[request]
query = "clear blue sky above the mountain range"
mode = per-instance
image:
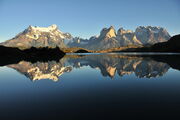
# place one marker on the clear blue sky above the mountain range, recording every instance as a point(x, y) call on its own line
point(86, 18)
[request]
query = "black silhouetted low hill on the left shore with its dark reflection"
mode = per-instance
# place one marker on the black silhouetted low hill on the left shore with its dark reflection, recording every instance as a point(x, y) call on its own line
point(14, 55)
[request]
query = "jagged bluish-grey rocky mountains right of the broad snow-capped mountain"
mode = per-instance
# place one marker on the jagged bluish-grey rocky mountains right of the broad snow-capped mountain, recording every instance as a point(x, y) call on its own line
point(109, 38)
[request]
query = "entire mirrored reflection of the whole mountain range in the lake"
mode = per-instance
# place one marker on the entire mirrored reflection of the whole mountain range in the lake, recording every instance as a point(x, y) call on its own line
point(108, 65)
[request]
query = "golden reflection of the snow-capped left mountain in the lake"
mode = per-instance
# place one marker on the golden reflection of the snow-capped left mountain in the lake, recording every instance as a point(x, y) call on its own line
point(41, 70)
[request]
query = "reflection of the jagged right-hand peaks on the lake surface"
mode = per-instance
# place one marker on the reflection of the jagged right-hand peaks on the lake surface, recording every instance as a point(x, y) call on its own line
point(109, 65)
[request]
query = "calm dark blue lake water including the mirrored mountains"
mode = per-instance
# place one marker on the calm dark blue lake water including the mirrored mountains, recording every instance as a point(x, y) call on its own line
point(90, 87)
